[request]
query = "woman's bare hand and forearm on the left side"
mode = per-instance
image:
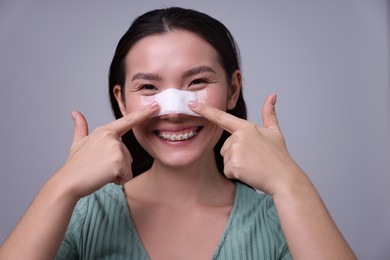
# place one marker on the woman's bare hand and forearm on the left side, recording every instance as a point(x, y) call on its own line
point(39, 233)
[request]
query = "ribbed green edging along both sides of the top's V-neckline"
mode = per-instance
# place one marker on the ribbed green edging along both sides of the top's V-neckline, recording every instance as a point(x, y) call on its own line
point(221, 240)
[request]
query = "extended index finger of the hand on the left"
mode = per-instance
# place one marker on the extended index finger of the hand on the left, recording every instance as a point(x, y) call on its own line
point(127, 122)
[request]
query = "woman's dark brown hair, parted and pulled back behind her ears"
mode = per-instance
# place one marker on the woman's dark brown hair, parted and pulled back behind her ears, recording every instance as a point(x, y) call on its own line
point(161, 21)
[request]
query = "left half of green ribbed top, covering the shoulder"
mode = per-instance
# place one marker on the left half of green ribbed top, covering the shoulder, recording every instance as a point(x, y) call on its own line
point(101, 225)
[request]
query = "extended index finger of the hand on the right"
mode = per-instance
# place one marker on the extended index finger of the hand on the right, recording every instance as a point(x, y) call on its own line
point(225, 120)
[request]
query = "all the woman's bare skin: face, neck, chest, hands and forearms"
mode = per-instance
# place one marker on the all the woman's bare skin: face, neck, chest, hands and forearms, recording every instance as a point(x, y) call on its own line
point(183, 192)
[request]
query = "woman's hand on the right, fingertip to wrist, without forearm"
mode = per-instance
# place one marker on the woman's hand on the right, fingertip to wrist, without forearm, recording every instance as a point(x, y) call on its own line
point(252, 154)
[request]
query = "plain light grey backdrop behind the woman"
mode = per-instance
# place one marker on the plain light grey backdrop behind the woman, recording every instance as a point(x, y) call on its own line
point(328, 61)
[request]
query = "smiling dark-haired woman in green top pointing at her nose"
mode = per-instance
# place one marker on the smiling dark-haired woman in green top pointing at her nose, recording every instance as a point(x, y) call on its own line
point(187, 198)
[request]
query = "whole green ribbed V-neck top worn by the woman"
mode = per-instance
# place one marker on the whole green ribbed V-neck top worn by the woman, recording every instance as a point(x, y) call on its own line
point(101, 228)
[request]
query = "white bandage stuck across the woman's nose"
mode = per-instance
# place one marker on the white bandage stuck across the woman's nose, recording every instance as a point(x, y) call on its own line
point(174, 101)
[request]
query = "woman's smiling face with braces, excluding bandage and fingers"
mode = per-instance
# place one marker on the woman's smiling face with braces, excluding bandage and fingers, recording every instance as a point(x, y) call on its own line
point(182, 60)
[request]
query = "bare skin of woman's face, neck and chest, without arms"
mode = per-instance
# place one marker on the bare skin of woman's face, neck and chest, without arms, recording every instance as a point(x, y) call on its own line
point(183, 192)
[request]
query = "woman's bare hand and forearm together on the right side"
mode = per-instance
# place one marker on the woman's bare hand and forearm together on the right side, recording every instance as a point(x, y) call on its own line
point(258, 156)
